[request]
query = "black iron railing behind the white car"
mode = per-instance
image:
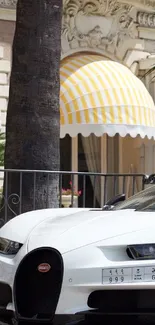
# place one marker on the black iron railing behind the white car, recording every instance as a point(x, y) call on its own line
point(96, 189)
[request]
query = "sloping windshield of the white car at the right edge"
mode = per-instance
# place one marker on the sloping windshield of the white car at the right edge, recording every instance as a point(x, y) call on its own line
point(142, 201)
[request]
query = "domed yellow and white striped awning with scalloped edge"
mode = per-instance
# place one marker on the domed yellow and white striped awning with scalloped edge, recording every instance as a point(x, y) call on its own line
point(99, 96)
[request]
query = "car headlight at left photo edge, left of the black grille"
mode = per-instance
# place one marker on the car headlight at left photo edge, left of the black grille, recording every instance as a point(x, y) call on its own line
point(9, 247)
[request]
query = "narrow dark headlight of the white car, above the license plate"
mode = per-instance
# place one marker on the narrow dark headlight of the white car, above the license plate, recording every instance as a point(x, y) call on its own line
point(141, 252)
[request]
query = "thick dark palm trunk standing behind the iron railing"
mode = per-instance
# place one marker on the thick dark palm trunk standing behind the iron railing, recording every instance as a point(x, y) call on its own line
point(33, 121)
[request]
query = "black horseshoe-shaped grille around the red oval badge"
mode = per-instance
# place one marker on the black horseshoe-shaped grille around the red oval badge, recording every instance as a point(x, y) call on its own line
point(36, 293)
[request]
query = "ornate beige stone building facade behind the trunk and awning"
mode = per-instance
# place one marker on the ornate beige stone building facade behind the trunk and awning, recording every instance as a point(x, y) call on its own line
point(122, 31)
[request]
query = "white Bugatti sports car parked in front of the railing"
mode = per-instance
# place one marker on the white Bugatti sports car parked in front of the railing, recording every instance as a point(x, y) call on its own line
point(80, 261)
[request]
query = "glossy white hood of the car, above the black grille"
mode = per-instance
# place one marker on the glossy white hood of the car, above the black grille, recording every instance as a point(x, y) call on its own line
point(79, 229)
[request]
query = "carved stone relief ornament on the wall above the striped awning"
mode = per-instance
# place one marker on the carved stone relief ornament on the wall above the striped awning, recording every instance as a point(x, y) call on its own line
point(96, 23)
